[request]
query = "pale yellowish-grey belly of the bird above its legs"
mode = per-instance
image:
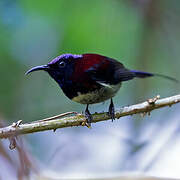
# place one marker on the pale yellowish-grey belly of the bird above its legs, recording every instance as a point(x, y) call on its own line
point(103, 94)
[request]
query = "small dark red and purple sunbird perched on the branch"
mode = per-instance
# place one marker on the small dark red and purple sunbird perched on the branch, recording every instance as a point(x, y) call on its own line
point(90, 78)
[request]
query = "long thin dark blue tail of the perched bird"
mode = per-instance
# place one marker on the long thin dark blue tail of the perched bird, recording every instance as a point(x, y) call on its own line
point(141, 74)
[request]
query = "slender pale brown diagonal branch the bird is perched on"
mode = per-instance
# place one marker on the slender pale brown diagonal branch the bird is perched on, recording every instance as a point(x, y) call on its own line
point(77, 120)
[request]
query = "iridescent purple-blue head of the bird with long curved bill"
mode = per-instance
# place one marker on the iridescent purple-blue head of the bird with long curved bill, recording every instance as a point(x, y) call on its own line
point(59, 68)
